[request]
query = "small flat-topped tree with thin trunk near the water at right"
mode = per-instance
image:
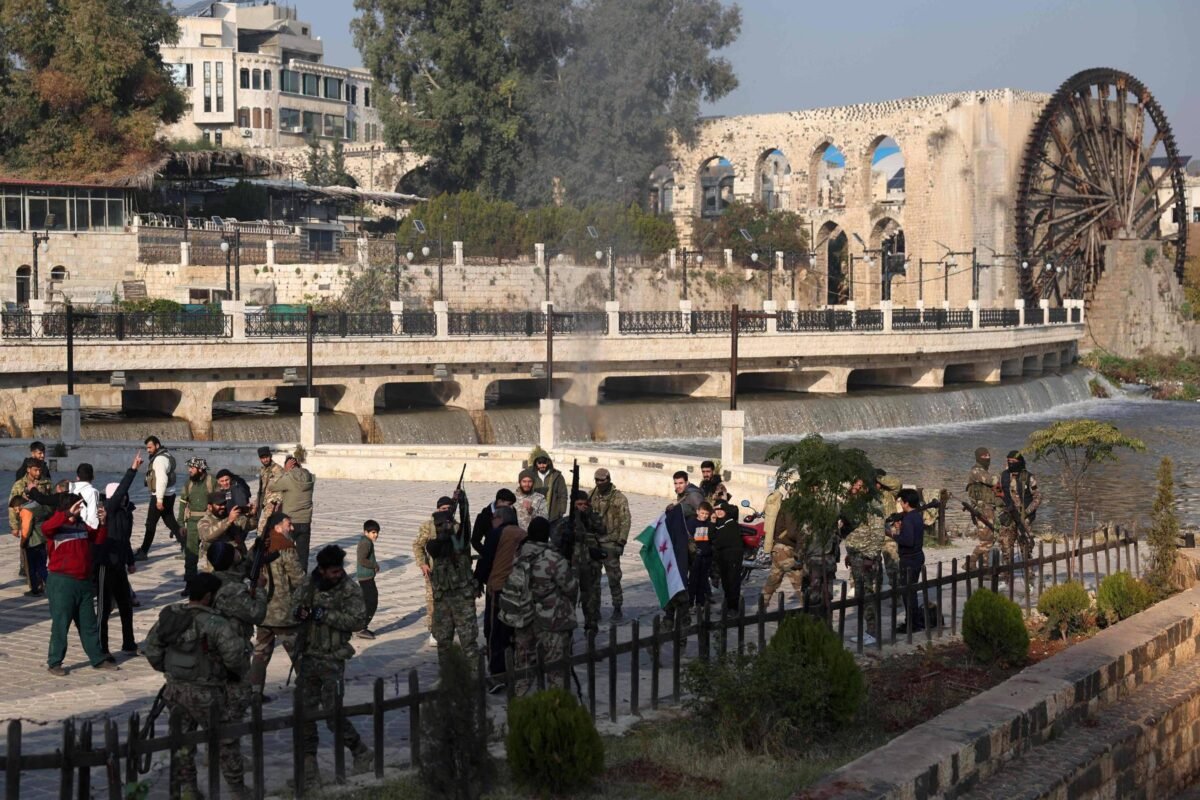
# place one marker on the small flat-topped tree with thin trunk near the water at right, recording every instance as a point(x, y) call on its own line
point(1076, 447)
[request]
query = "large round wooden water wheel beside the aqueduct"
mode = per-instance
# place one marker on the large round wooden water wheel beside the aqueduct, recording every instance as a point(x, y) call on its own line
point(1100, 165)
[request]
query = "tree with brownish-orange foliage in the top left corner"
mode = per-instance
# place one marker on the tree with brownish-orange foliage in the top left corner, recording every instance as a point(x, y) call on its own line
point(83, 87)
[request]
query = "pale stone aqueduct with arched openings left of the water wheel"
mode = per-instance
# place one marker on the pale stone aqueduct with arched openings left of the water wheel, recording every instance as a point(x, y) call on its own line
point(962, 158)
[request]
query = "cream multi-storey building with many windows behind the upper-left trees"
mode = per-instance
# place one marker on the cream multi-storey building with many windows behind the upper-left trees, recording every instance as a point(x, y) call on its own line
point(255, 77)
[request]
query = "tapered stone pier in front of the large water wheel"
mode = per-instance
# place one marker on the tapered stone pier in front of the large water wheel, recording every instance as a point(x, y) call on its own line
point(1136, 306)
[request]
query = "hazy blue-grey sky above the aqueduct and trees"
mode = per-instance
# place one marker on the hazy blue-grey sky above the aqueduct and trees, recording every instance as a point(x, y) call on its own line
point(796, 55)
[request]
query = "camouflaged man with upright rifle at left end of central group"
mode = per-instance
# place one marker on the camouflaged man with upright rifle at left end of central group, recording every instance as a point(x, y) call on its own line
point(454, 586)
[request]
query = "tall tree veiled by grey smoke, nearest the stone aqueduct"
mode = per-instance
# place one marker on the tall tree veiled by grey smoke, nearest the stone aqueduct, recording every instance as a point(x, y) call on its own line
point(634, 80)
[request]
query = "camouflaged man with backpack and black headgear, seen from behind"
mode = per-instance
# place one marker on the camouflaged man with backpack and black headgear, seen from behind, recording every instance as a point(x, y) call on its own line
point(553, 591)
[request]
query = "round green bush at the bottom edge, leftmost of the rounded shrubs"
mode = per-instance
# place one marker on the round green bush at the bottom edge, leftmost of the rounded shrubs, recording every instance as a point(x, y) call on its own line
point(553, 747)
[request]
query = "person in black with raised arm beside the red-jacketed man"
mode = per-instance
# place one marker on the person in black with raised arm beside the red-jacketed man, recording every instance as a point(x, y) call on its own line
point(115, 561)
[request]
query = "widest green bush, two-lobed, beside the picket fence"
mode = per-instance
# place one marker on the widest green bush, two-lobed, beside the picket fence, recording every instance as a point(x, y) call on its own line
point(803, 685)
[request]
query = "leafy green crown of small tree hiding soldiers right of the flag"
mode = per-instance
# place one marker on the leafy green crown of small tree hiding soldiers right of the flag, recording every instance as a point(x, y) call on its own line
point(820, 480)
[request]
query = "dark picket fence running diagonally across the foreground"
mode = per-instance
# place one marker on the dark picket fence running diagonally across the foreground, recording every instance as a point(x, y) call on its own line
point(123, 760)
